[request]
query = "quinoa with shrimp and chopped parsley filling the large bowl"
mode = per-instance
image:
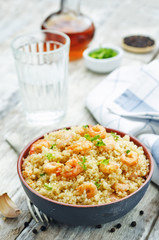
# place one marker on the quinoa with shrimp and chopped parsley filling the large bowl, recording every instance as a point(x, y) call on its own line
point(85, 165)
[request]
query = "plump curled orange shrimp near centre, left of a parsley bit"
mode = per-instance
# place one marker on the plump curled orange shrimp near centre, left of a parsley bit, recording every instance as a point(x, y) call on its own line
point(72, 168)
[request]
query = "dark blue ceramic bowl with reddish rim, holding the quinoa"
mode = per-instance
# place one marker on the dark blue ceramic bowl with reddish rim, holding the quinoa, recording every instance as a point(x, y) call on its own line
point(85, 214)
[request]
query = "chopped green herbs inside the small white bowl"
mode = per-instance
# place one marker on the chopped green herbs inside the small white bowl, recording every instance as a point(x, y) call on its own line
point(102, 53)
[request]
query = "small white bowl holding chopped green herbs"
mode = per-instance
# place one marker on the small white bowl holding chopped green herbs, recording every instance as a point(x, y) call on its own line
point(102, 65)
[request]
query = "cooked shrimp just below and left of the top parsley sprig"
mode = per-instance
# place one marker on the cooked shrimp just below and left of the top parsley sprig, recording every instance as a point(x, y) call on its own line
point(81, 147)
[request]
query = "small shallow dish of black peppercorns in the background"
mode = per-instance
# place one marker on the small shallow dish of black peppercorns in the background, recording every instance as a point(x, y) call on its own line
point(138, 44)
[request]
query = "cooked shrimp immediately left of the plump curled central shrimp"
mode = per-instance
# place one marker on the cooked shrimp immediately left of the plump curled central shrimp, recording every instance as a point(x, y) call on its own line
point(53, 167)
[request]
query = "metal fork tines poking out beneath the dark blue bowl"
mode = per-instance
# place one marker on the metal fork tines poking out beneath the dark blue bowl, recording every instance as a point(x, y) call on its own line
point(37, 215)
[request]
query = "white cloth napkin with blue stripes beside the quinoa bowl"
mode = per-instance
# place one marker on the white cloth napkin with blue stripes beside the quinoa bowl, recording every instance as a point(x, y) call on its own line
point(128, 100)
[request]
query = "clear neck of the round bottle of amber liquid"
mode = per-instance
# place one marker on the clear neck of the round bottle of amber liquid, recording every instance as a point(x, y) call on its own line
point(70, 6)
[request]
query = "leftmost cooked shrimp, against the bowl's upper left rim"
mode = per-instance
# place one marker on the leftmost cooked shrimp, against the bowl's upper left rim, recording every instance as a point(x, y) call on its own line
point(36, 147)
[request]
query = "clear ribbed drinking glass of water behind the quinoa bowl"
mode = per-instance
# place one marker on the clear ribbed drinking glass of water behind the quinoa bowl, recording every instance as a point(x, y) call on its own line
point(42, 68)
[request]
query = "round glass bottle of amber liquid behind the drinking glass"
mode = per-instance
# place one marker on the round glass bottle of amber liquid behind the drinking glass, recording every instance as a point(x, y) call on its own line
point(77, 26)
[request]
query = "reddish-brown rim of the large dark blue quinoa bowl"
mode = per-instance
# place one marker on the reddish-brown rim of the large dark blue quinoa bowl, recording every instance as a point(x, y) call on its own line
point(25, 151)
